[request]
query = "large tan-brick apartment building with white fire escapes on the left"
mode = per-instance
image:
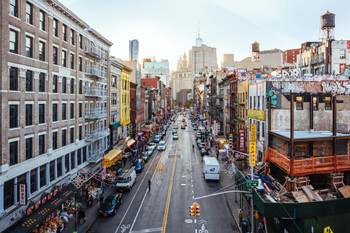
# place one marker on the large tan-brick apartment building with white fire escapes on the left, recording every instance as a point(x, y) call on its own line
point(54, 100)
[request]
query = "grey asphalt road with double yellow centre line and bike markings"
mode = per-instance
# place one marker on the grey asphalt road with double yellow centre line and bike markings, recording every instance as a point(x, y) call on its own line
point(165, 208)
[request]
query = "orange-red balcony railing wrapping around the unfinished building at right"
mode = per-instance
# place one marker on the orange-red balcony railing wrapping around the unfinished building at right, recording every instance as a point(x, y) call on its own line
point(309, 166)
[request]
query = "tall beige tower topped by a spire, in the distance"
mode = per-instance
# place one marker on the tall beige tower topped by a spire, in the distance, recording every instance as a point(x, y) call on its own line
point(202, 57)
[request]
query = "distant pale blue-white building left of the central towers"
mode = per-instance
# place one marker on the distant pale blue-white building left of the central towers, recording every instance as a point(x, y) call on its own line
point(160, 69)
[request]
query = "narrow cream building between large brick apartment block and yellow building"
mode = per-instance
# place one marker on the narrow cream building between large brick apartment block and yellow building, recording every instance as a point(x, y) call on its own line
point(115, 101)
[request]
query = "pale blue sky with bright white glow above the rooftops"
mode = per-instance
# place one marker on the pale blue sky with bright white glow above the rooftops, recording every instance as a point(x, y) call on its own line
point(167, 29)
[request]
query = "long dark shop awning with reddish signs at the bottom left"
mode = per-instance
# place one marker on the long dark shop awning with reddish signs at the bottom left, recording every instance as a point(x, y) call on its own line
point(29, 222)
